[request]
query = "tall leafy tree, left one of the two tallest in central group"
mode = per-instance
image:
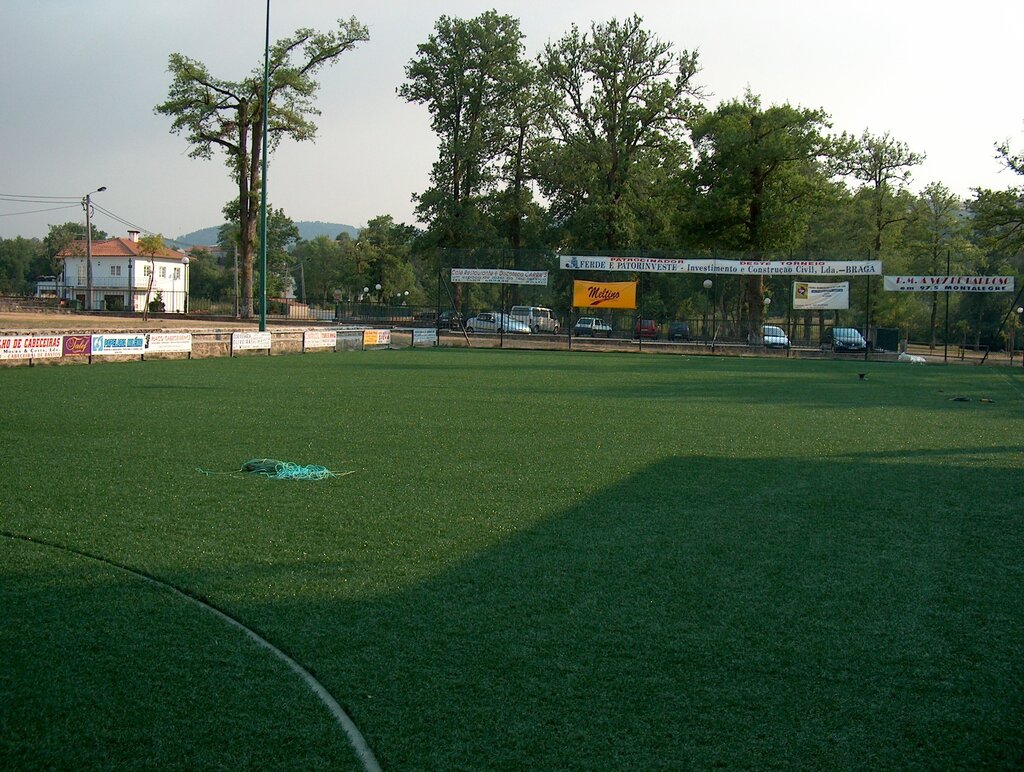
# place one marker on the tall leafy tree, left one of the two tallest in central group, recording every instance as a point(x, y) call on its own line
point(470, 74)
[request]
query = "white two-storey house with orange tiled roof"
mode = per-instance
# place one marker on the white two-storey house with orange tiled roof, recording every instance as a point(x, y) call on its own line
point(124, 279)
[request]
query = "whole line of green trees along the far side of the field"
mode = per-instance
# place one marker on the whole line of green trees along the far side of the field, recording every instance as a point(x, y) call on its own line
point(603, 143)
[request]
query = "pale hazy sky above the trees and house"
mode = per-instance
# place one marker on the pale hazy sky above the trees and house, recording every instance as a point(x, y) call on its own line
point(79, 80)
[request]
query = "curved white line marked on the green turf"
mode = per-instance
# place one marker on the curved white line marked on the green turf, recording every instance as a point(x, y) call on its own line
point(363, 752)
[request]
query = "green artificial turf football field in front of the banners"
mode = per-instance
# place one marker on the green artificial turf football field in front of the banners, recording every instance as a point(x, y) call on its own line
point(541, 561)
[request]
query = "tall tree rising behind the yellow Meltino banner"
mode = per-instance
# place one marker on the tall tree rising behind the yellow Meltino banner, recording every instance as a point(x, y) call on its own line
point(621, 99)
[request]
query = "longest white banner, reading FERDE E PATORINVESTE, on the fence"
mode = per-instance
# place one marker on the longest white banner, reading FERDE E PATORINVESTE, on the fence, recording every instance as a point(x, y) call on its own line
point(730, 268)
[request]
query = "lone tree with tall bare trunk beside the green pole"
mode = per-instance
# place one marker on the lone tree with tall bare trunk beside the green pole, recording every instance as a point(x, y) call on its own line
point(229, 115)
